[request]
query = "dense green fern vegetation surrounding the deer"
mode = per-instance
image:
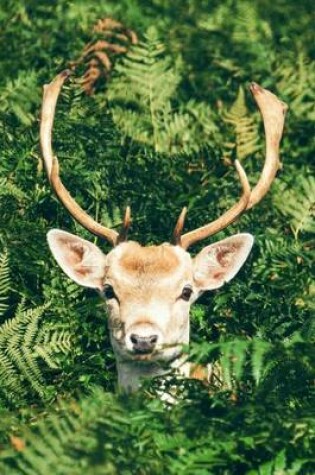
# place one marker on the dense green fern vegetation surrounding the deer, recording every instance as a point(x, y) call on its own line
point(167, 118)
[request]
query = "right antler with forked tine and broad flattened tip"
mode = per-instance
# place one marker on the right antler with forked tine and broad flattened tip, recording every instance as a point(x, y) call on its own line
point(273, 114)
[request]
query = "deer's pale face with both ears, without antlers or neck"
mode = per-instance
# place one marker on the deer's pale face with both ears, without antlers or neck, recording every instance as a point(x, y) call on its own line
point(149, 290)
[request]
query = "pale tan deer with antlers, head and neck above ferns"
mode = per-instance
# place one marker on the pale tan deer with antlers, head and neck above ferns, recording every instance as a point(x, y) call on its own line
point(149, 290)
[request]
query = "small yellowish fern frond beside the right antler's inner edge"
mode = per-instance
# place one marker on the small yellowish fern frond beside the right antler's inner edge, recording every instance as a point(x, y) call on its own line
point(244, 127)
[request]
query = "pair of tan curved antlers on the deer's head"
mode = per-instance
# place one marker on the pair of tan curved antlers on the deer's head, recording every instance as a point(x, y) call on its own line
point(273, 114)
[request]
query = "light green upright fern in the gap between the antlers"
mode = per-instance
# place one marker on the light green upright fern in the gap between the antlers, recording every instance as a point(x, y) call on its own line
point(143, 102)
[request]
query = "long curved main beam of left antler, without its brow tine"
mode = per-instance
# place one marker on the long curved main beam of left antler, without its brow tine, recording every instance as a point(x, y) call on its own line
point(50, 96)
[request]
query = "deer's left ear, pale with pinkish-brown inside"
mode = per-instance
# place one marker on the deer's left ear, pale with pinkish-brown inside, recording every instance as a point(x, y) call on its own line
point(81, 260)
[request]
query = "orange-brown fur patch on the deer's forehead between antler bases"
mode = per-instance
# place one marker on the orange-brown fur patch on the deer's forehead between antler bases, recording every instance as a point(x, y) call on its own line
point(155, 259)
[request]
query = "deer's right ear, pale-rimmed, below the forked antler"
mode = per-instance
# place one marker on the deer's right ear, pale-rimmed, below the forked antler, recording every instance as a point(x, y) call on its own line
point(220, 262)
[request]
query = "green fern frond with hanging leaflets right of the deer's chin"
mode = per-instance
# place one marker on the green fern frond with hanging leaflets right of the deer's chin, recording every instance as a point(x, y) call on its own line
point(271, 369)
